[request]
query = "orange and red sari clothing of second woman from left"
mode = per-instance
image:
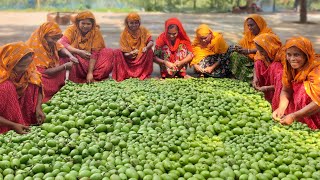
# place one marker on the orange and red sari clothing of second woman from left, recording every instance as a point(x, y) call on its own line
point(46, 57)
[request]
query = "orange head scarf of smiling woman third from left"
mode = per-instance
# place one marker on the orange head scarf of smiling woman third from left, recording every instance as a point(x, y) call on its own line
point(92, 41)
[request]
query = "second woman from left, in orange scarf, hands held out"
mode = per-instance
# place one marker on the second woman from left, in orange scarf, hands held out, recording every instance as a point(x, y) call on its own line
point(46, 57)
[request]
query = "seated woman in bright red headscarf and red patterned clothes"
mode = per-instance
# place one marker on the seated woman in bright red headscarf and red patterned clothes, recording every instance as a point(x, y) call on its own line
point(173, 51)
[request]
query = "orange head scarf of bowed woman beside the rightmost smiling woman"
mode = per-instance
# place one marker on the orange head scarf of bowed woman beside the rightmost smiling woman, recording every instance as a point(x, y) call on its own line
point(271, 44)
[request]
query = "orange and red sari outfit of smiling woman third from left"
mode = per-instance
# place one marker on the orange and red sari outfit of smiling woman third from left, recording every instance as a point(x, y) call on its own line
point(92, 42)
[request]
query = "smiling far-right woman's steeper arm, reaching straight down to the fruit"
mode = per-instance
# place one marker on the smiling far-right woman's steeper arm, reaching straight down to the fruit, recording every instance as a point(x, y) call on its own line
point(285, 96)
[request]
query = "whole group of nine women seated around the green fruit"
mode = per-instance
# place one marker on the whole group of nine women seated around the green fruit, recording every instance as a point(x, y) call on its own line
point(32, 72)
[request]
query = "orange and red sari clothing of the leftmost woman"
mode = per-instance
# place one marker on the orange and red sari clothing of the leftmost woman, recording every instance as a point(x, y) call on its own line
point(18, 96)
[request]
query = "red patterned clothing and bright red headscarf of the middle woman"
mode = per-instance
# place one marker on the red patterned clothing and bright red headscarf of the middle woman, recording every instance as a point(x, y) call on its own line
point(176, 52)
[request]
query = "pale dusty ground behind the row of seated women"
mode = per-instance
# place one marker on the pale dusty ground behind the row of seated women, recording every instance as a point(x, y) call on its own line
point(17, 26)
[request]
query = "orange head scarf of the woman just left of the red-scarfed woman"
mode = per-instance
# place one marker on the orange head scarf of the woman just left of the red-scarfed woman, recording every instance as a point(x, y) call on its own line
point(130, 40)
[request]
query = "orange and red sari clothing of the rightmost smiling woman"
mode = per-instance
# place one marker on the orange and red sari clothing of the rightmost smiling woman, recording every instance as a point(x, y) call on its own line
point(305, 82)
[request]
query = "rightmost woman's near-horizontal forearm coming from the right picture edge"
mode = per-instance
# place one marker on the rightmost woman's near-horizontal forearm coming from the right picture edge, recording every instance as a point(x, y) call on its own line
point(308, 110)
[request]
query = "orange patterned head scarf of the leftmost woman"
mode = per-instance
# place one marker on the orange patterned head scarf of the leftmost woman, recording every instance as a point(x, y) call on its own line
point(10, 55)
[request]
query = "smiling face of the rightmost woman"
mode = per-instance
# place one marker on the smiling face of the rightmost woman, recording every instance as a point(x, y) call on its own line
point(296, 58)
